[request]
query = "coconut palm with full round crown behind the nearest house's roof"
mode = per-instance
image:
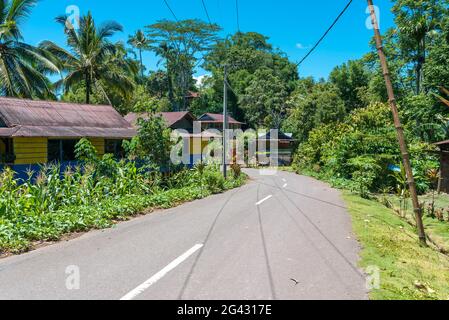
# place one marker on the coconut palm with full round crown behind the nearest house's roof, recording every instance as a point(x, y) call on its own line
point(88, 58)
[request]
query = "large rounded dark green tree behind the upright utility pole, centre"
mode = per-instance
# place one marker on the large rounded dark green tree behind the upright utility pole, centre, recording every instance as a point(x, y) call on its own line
point(261, 78)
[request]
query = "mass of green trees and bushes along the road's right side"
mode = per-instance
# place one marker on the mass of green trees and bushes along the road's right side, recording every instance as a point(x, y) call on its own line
point(343, 126)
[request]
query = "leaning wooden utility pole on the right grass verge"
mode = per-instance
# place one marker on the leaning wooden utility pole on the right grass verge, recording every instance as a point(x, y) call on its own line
point(398, 125)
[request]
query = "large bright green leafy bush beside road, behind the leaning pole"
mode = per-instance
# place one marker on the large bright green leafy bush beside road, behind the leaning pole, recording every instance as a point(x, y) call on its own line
point(361, 151)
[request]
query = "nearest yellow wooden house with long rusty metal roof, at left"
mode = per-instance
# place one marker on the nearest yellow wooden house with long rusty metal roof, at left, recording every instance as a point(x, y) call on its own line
point(37, 132)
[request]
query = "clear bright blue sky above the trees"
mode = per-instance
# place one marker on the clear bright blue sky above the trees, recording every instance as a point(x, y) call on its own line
point(292, 25)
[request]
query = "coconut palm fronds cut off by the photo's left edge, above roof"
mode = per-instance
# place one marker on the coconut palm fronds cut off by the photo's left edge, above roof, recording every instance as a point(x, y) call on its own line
point(22, 66)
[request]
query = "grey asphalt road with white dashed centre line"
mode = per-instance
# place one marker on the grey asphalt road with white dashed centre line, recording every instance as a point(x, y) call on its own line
point(278, 237)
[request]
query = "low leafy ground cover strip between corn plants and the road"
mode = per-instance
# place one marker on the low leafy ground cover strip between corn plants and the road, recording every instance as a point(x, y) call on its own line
point(27, 231)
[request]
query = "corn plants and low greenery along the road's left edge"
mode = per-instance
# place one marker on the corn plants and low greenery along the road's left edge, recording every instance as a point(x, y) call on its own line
point(103, 192)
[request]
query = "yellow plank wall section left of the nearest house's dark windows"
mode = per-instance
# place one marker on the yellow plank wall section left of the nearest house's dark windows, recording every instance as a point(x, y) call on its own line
point(30, 150)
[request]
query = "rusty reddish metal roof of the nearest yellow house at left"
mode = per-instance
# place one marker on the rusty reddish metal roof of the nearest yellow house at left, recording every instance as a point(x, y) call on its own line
point(35, 118)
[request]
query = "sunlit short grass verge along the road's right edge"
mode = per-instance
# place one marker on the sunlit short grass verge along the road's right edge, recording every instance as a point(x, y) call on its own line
point(408, 271)
